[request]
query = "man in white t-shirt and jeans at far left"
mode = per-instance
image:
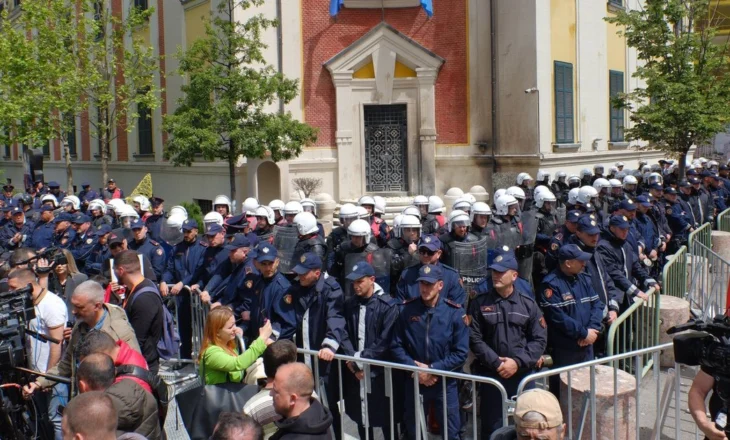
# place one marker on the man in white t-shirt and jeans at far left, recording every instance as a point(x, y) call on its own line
point(50, 320)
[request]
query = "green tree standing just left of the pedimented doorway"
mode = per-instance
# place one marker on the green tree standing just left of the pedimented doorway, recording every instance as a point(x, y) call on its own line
point(223, 112)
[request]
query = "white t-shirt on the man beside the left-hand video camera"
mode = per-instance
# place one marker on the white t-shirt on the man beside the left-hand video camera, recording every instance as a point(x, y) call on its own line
point(49, 313)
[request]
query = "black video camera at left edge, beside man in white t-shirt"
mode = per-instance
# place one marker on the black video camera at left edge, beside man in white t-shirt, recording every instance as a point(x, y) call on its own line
point(16, 311)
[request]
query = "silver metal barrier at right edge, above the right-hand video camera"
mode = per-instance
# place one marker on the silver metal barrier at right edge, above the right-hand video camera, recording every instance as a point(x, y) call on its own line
point(709, 278)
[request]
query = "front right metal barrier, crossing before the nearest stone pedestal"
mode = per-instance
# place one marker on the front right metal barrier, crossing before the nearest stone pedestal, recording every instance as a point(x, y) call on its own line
point(606, 371)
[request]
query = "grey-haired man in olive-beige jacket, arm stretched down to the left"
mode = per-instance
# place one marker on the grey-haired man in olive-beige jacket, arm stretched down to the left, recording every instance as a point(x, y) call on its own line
point(91, 313)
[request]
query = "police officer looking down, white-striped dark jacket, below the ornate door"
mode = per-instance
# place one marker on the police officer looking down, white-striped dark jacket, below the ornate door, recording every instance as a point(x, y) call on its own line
point(370, 315)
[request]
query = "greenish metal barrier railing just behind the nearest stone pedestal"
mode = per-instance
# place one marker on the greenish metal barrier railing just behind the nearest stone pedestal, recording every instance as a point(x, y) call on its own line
point(635, 329)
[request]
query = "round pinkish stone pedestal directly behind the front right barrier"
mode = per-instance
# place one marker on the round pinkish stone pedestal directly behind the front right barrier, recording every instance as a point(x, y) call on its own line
point(625, 400)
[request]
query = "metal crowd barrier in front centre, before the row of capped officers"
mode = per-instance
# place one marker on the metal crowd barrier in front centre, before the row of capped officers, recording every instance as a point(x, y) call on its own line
point(389, 367)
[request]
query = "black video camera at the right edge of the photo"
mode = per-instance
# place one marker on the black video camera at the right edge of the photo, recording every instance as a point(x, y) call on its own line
point(710, 349)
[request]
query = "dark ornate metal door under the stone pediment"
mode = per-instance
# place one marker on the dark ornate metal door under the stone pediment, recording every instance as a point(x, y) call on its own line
point(386, 138)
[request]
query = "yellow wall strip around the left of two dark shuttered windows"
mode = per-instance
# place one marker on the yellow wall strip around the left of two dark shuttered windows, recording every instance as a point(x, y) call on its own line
point(562, 39)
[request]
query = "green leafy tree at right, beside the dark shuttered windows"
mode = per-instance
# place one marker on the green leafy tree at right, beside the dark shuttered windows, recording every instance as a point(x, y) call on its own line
point(685, 67)
